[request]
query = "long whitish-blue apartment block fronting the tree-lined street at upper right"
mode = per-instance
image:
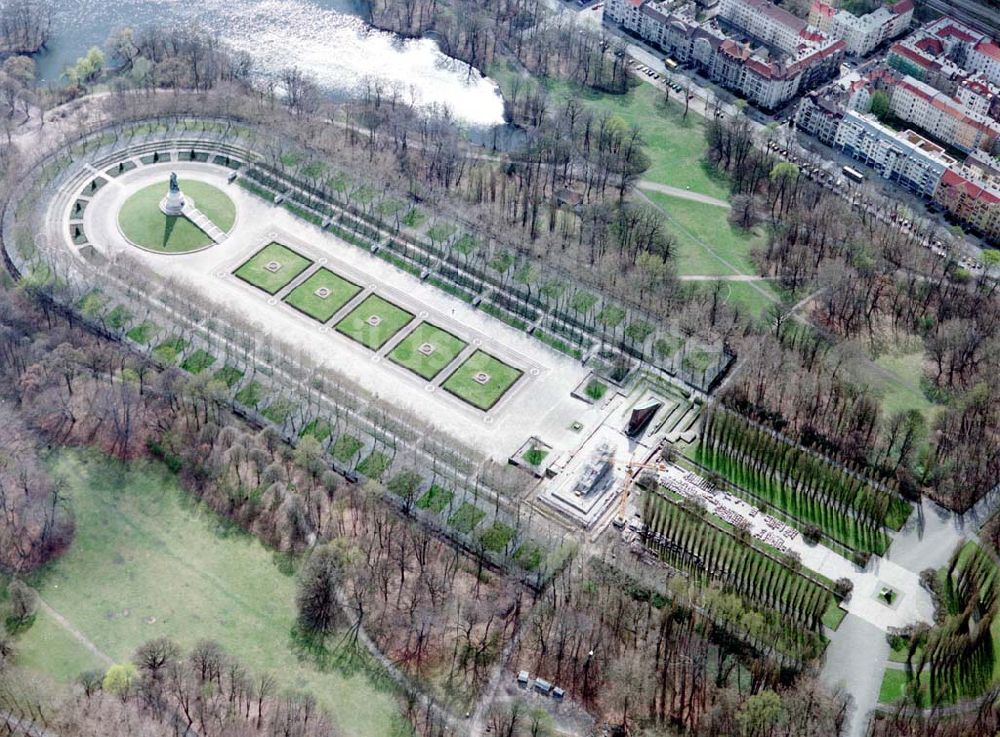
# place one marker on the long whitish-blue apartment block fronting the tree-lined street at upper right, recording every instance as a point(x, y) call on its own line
point(907, 157)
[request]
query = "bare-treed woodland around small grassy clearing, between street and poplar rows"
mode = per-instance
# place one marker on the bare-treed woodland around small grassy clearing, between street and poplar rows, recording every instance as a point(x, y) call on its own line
point(872, 283)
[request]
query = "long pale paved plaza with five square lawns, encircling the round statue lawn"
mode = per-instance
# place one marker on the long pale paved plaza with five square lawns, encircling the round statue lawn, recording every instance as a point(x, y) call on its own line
point(540, 380)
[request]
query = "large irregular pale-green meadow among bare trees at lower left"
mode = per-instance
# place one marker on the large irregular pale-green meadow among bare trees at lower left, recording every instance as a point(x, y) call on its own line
point(147, 561)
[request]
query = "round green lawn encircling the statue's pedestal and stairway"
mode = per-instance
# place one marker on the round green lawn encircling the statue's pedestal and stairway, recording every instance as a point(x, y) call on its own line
point(144, 224)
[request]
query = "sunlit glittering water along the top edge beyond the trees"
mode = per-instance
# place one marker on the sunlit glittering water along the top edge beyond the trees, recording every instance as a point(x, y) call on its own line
point(325, 38)
